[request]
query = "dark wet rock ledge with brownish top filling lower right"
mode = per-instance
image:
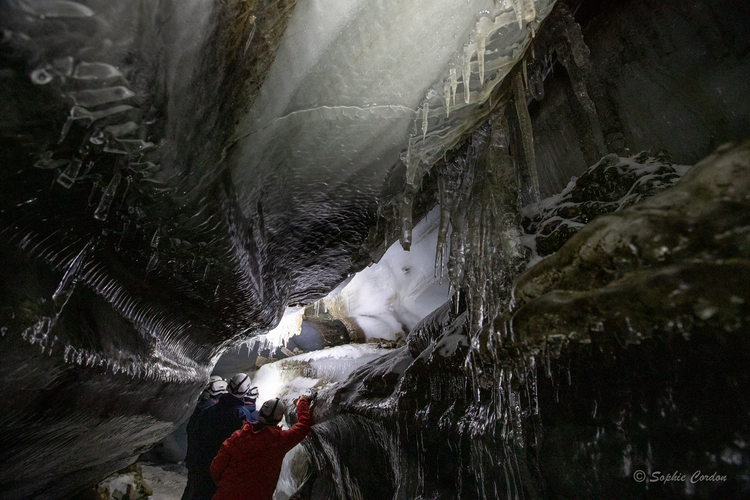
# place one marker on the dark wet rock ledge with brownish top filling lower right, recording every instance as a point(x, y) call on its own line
point(612, 361)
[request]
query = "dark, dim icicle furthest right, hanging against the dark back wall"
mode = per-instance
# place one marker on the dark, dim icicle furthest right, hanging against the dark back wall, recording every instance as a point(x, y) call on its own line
point(574, 55)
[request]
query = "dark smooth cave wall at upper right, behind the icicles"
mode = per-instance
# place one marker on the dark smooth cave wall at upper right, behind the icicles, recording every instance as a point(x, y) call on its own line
point(662, 75)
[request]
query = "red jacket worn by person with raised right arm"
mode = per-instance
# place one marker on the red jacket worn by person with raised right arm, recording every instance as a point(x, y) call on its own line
point(248, 464)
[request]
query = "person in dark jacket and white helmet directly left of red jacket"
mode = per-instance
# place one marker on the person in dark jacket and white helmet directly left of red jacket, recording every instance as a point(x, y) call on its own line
point(212, 426)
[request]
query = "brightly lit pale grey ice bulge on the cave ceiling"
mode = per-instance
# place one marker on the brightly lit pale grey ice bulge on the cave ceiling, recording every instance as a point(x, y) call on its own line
point(357, 87)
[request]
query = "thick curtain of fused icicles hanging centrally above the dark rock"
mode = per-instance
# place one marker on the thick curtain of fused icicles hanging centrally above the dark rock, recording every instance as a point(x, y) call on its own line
point(479, 200)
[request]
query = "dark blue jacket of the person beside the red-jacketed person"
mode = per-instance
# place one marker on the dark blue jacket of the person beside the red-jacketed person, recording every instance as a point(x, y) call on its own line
point(212, 426)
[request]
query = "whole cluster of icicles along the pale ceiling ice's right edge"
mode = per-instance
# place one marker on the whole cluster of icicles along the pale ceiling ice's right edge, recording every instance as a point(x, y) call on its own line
point(478, 194)
